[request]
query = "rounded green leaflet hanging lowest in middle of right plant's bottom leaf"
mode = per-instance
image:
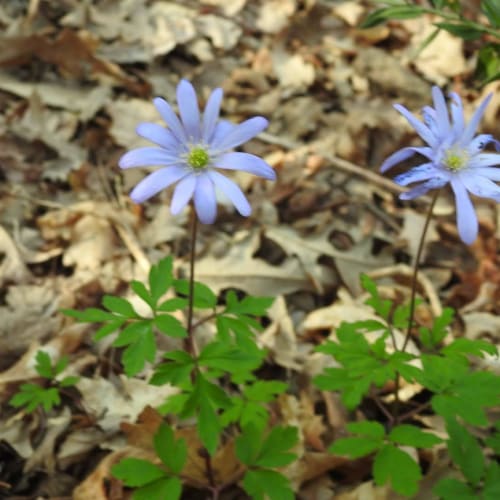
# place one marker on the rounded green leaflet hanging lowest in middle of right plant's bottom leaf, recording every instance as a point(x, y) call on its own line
point(394, 465)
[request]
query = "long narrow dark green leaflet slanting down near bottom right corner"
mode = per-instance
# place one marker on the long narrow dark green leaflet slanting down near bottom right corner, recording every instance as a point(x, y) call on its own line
point(465, 451)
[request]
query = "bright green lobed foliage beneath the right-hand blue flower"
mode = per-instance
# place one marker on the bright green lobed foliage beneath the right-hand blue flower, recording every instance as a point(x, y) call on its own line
point(458, 393)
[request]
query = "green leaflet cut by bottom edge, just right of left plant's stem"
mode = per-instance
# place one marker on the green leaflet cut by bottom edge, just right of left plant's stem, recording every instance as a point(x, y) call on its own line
point(267, 484)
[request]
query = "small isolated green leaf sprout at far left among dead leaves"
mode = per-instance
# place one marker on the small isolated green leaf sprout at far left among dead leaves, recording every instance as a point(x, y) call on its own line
point(32, 396)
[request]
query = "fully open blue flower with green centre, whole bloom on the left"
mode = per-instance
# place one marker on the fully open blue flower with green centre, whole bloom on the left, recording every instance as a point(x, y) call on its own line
point(189, 152)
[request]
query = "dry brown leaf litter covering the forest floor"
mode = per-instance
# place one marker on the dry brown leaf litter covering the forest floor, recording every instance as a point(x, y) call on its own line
point(75, 78)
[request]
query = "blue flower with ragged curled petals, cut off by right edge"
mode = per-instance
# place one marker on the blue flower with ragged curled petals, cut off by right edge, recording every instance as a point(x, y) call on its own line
point(454, 155)
